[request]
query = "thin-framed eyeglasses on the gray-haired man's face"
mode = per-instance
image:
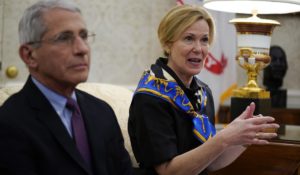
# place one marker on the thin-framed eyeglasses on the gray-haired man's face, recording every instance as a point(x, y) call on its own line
point(67, 39)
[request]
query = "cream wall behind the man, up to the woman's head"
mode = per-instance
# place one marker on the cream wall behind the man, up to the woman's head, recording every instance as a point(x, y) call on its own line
point(126, 41)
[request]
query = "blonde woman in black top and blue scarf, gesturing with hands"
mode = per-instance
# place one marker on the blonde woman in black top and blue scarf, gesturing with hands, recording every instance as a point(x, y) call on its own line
point(171, 122)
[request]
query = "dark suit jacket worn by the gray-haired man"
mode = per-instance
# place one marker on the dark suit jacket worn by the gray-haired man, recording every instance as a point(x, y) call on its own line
point(34, 141)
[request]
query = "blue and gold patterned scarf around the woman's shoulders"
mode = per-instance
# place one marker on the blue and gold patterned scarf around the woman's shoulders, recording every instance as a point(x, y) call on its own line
point(170, 91)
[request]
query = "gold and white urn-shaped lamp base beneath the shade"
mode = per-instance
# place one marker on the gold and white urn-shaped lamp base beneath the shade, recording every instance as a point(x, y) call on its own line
point(253, 40)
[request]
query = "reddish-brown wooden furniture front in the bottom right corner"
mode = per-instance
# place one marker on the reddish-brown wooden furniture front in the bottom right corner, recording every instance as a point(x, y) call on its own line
point(276, 158)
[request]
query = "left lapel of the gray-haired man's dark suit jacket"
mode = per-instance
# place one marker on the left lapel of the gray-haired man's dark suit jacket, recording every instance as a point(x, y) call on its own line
point(47, 115)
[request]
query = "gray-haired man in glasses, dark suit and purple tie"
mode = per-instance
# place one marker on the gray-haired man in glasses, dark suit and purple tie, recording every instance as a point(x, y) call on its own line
point(38, 135)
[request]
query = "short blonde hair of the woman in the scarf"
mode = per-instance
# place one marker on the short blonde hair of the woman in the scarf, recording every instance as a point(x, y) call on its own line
point(178, 19)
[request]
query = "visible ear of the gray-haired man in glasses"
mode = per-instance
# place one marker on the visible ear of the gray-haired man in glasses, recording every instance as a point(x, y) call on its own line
point(26, 53)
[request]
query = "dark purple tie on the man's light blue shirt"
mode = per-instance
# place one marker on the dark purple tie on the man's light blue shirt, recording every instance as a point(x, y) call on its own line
point(79, 132)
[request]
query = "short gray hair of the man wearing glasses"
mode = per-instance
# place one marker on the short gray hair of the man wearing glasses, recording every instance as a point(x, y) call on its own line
point(32, 26)
